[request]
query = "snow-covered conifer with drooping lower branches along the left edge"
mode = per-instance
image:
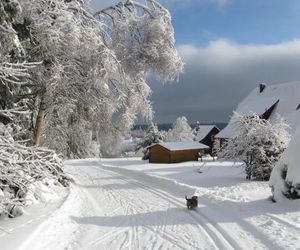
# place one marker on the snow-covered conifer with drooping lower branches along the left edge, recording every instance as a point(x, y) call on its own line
point(20, 166)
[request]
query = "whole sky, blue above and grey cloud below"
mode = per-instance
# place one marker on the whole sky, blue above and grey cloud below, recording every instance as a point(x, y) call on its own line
point(229, 47)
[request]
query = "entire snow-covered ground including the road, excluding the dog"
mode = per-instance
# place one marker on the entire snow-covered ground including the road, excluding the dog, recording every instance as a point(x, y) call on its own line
point(131, 204)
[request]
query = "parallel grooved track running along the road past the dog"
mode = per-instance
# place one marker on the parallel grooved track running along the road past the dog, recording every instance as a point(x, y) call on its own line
point(214, 231)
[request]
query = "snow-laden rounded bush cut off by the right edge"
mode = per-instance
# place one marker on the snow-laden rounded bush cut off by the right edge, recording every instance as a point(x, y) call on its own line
point(285, 177)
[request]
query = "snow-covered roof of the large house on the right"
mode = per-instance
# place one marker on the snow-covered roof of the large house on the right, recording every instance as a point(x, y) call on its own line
point(286, 94)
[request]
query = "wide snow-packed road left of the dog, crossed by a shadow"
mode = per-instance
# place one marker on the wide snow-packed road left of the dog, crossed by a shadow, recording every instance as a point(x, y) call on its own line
point(113, 208)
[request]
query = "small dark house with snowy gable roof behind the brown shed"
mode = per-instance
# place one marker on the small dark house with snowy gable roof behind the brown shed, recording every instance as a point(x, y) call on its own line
point(205, 134)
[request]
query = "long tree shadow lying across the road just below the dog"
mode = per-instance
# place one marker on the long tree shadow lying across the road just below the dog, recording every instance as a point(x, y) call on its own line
point(170, 217)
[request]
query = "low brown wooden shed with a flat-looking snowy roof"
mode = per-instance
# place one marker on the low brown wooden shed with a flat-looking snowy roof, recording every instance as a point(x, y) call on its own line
point(175, 152)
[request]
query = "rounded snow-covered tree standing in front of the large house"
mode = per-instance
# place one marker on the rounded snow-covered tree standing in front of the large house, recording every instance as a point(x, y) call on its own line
point(256, 142)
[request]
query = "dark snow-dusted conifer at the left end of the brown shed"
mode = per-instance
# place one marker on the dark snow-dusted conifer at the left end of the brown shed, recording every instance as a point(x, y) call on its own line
point(153, 136)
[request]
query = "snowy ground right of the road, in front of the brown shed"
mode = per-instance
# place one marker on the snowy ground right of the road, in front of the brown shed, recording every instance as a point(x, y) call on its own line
point(235, 205)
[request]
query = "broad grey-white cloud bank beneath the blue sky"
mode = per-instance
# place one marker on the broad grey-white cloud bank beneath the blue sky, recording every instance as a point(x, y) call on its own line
point(217, 77)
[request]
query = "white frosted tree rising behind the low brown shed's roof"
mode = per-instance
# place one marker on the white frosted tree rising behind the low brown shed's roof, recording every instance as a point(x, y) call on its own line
point(181, 131)
